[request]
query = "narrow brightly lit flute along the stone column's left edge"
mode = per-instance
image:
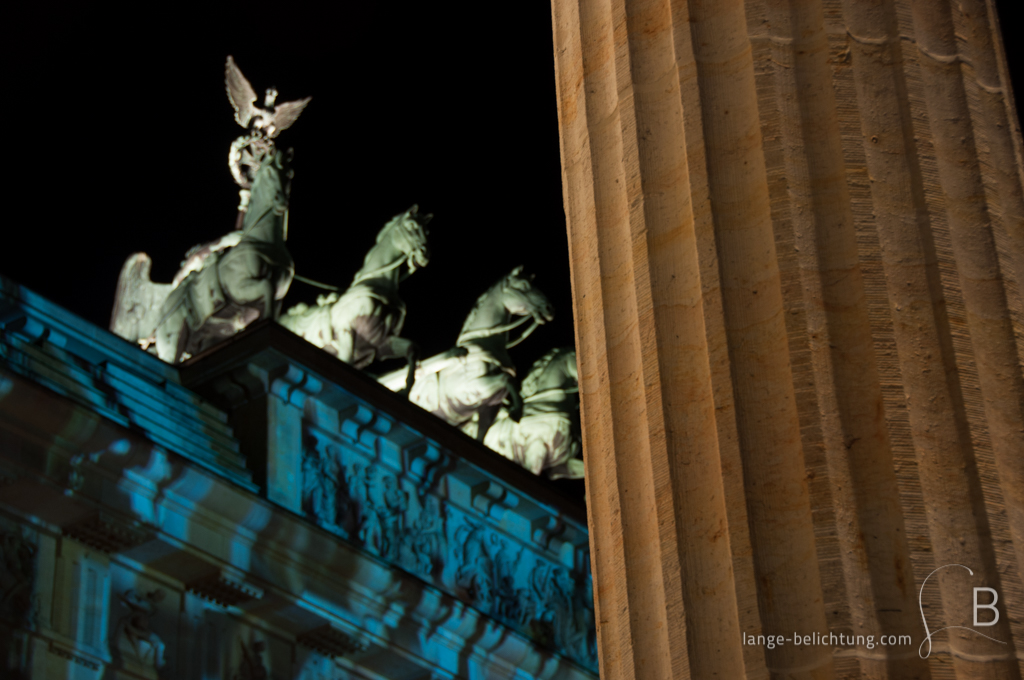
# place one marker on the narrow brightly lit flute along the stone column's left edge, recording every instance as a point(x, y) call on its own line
point(581, 46)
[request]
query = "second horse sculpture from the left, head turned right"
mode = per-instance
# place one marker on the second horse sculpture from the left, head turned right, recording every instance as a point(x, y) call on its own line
point(364, 323)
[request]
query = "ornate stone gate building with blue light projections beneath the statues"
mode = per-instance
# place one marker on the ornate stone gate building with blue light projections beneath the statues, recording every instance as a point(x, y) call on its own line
point(264, 512)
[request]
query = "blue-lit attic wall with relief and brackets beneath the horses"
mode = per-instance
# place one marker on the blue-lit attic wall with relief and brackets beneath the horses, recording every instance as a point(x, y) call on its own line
point(466, 534)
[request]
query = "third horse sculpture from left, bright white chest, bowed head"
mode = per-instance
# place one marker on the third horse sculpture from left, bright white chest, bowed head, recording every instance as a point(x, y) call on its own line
point(467, 391)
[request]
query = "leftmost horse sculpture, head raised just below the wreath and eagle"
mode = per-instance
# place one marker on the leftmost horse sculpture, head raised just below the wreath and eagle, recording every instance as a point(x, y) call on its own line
point(224, 286)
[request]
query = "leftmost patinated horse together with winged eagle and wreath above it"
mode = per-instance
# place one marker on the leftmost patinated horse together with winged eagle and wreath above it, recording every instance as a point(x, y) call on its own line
point(226, 285)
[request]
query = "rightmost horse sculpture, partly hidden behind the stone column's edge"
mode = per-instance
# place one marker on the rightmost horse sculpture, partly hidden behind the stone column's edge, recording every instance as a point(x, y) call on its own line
point(547, 437)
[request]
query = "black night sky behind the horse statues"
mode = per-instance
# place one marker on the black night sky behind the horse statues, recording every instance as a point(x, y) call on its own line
point(120, 130)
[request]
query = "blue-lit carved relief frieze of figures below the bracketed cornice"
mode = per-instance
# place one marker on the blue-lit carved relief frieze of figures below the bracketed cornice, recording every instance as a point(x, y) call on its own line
point(402, 520)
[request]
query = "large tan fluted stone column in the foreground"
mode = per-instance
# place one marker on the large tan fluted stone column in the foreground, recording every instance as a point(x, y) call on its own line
point(796, 240)
